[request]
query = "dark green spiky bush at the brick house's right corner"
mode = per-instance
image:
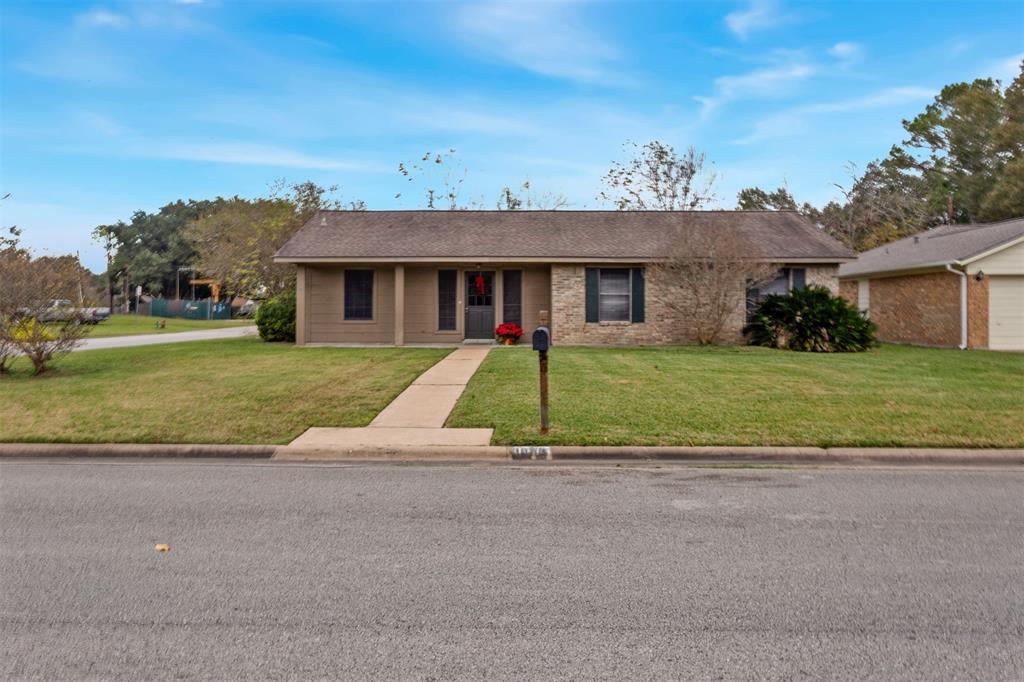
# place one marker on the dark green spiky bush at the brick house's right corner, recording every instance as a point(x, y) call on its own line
point(810, 320)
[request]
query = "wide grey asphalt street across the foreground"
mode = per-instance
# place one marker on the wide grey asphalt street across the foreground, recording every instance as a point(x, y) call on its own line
point(411, 572)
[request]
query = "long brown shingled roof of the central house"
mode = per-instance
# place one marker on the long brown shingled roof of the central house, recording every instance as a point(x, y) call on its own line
point(581, 236)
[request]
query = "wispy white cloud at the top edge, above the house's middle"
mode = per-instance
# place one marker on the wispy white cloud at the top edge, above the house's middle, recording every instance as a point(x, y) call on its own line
point(547, 38)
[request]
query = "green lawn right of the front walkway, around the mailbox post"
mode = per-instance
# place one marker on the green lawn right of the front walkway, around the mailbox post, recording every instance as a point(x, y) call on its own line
point(894, 396)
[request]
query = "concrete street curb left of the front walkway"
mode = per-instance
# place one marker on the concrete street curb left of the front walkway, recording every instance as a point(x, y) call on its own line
point(40, 450)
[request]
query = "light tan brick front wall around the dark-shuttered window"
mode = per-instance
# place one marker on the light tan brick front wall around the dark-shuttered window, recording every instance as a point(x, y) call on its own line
point(662, 325)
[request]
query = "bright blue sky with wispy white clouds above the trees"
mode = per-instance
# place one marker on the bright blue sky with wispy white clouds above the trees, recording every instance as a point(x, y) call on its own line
point(116, 107)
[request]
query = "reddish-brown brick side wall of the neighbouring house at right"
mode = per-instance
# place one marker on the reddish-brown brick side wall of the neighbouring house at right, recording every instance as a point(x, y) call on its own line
point(924, 310)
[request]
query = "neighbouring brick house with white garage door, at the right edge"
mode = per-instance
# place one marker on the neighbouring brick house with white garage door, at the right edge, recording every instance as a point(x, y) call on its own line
point(960, 285)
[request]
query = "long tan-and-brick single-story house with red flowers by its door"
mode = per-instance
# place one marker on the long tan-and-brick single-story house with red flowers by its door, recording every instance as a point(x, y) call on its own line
point(449, 277)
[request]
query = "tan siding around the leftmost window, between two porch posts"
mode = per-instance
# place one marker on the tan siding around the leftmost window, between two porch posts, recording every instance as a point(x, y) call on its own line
point(325, 294)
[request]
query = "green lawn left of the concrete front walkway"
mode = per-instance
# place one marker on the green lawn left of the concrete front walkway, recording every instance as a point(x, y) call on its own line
point(233, 391)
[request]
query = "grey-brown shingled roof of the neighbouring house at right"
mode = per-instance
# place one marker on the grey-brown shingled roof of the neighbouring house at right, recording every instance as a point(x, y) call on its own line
point(935, 248)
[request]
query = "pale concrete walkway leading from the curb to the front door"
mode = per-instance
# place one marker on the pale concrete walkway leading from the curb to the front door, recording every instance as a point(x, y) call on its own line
point(415, 419)
